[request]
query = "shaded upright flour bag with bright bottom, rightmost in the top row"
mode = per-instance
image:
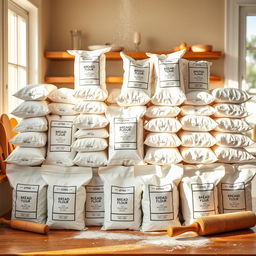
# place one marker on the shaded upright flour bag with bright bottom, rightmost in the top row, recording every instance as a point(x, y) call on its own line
point(197, 82)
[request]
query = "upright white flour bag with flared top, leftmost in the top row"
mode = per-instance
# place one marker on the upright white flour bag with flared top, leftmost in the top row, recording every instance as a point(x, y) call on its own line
point(90, 74)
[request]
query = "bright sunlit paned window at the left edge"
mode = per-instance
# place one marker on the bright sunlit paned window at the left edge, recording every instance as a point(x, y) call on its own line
point(17, 52)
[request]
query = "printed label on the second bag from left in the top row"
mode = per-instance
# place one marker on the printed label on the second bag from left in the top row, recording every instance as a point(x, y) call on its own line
point(139, 76)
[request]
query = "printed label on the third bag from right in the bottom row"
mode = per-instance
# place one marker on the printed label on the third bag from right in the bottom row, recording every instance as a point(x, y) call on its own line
point(161, 202)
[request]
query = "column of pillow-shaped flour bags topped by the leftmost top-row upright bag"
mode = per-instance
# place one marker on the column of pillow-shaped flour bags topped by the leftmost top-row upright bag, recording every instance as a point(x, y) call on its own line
point(90, 90)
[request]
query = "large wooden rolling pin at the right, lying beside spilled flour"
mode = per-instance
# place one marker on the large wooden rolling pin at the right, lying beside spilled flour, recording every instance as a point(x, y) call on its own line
point(215, 224)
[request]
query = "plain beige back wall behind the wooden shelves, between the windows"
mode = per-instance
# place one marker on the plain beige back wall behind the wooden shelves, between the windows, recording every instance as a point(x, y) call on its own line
point(162, 23)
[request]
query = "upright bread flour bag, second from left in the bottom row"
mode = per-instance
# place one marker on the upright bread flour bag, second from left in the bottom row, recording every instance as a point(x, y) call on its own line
point(66, 195)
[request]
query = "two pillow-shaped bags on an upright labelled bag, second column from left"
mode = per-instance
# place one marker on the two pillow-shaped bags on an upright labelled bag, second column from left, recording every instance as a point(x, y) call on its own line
point(61, 130)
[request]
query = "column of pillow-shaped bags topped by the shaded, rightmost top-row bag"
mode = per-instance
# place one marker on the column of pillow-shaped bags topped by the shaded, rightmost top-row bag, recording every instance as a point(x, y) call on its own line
point(196, 139)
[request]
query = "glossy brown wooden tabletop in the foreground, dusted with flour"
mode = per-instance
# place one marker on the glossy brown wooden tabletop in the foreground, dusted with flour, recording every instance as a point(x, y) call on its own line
point(14, 242)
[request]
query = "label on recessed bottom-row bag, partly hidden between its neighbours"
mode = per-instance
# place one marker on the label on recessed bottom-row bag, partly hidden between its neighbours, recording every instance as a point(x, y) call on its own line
point(95, 202)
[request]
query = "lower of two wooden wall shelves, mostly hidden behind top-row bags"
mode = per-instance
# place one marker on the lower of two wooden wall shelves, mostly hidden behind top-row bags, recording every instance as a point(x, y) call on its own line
point(109, 79)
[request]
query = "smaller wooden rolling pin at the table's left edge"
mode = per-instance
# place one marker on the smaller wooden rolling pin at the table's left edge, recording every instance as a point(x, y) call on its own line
point(26, 226)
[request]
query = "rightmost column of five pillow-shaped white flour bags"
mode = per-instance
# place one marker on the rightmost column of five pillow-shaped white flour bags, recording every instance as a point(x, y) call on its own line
point(230, 112)
